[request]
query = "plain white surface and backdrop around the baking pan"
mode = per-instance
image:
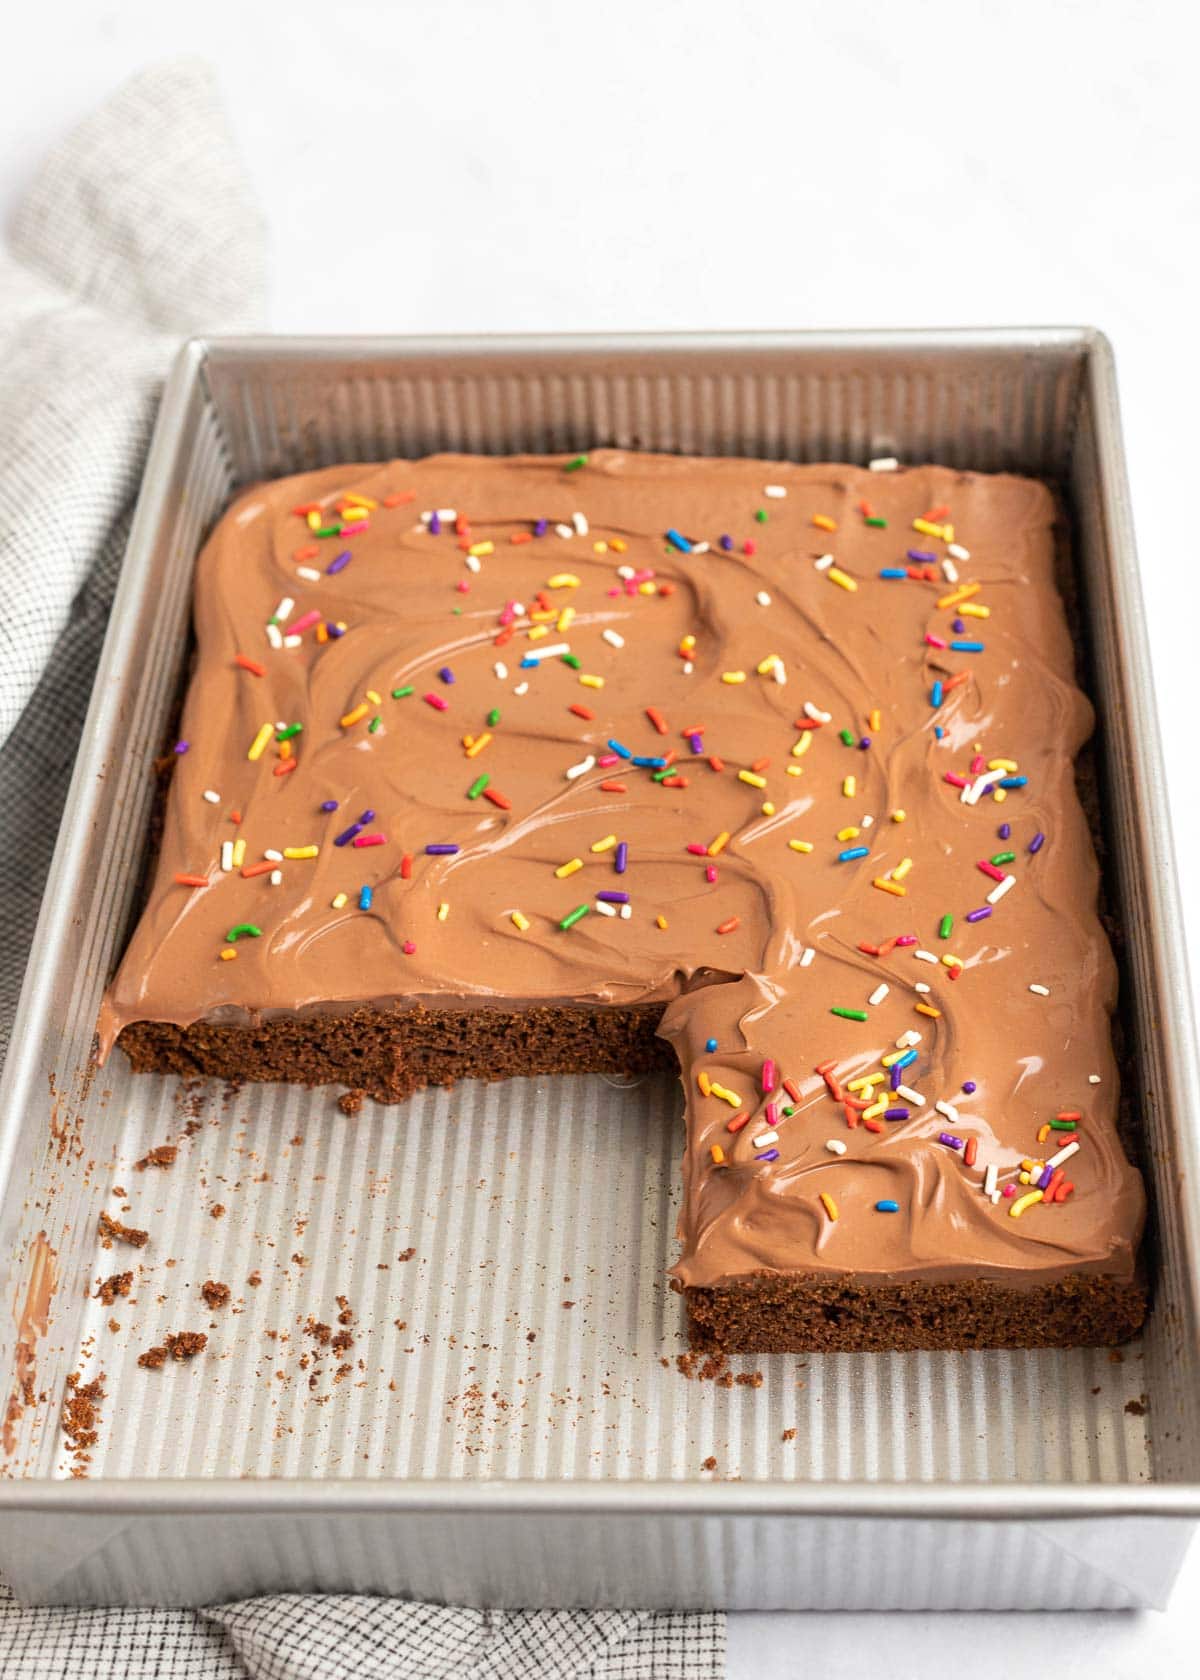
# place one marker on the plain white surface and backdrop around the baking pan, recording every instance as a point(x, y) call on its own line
point(569, 167)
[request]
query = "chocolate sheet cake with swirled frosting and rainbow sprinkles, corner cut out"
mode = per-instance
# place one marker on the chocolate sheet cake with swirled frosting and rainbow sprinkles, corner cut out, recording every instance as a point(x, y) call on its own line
point(502, 767)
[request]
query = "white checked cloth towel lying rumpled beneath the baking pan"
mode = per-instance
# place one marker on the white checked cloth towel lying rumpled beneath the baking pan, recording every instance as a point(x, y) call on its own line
point(139, 231)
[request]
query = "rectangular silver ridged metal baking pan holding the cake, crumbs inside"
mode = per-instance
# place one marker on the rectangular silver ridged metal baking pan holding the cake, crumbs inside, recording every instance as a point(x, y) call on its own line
point(487, 1444)
